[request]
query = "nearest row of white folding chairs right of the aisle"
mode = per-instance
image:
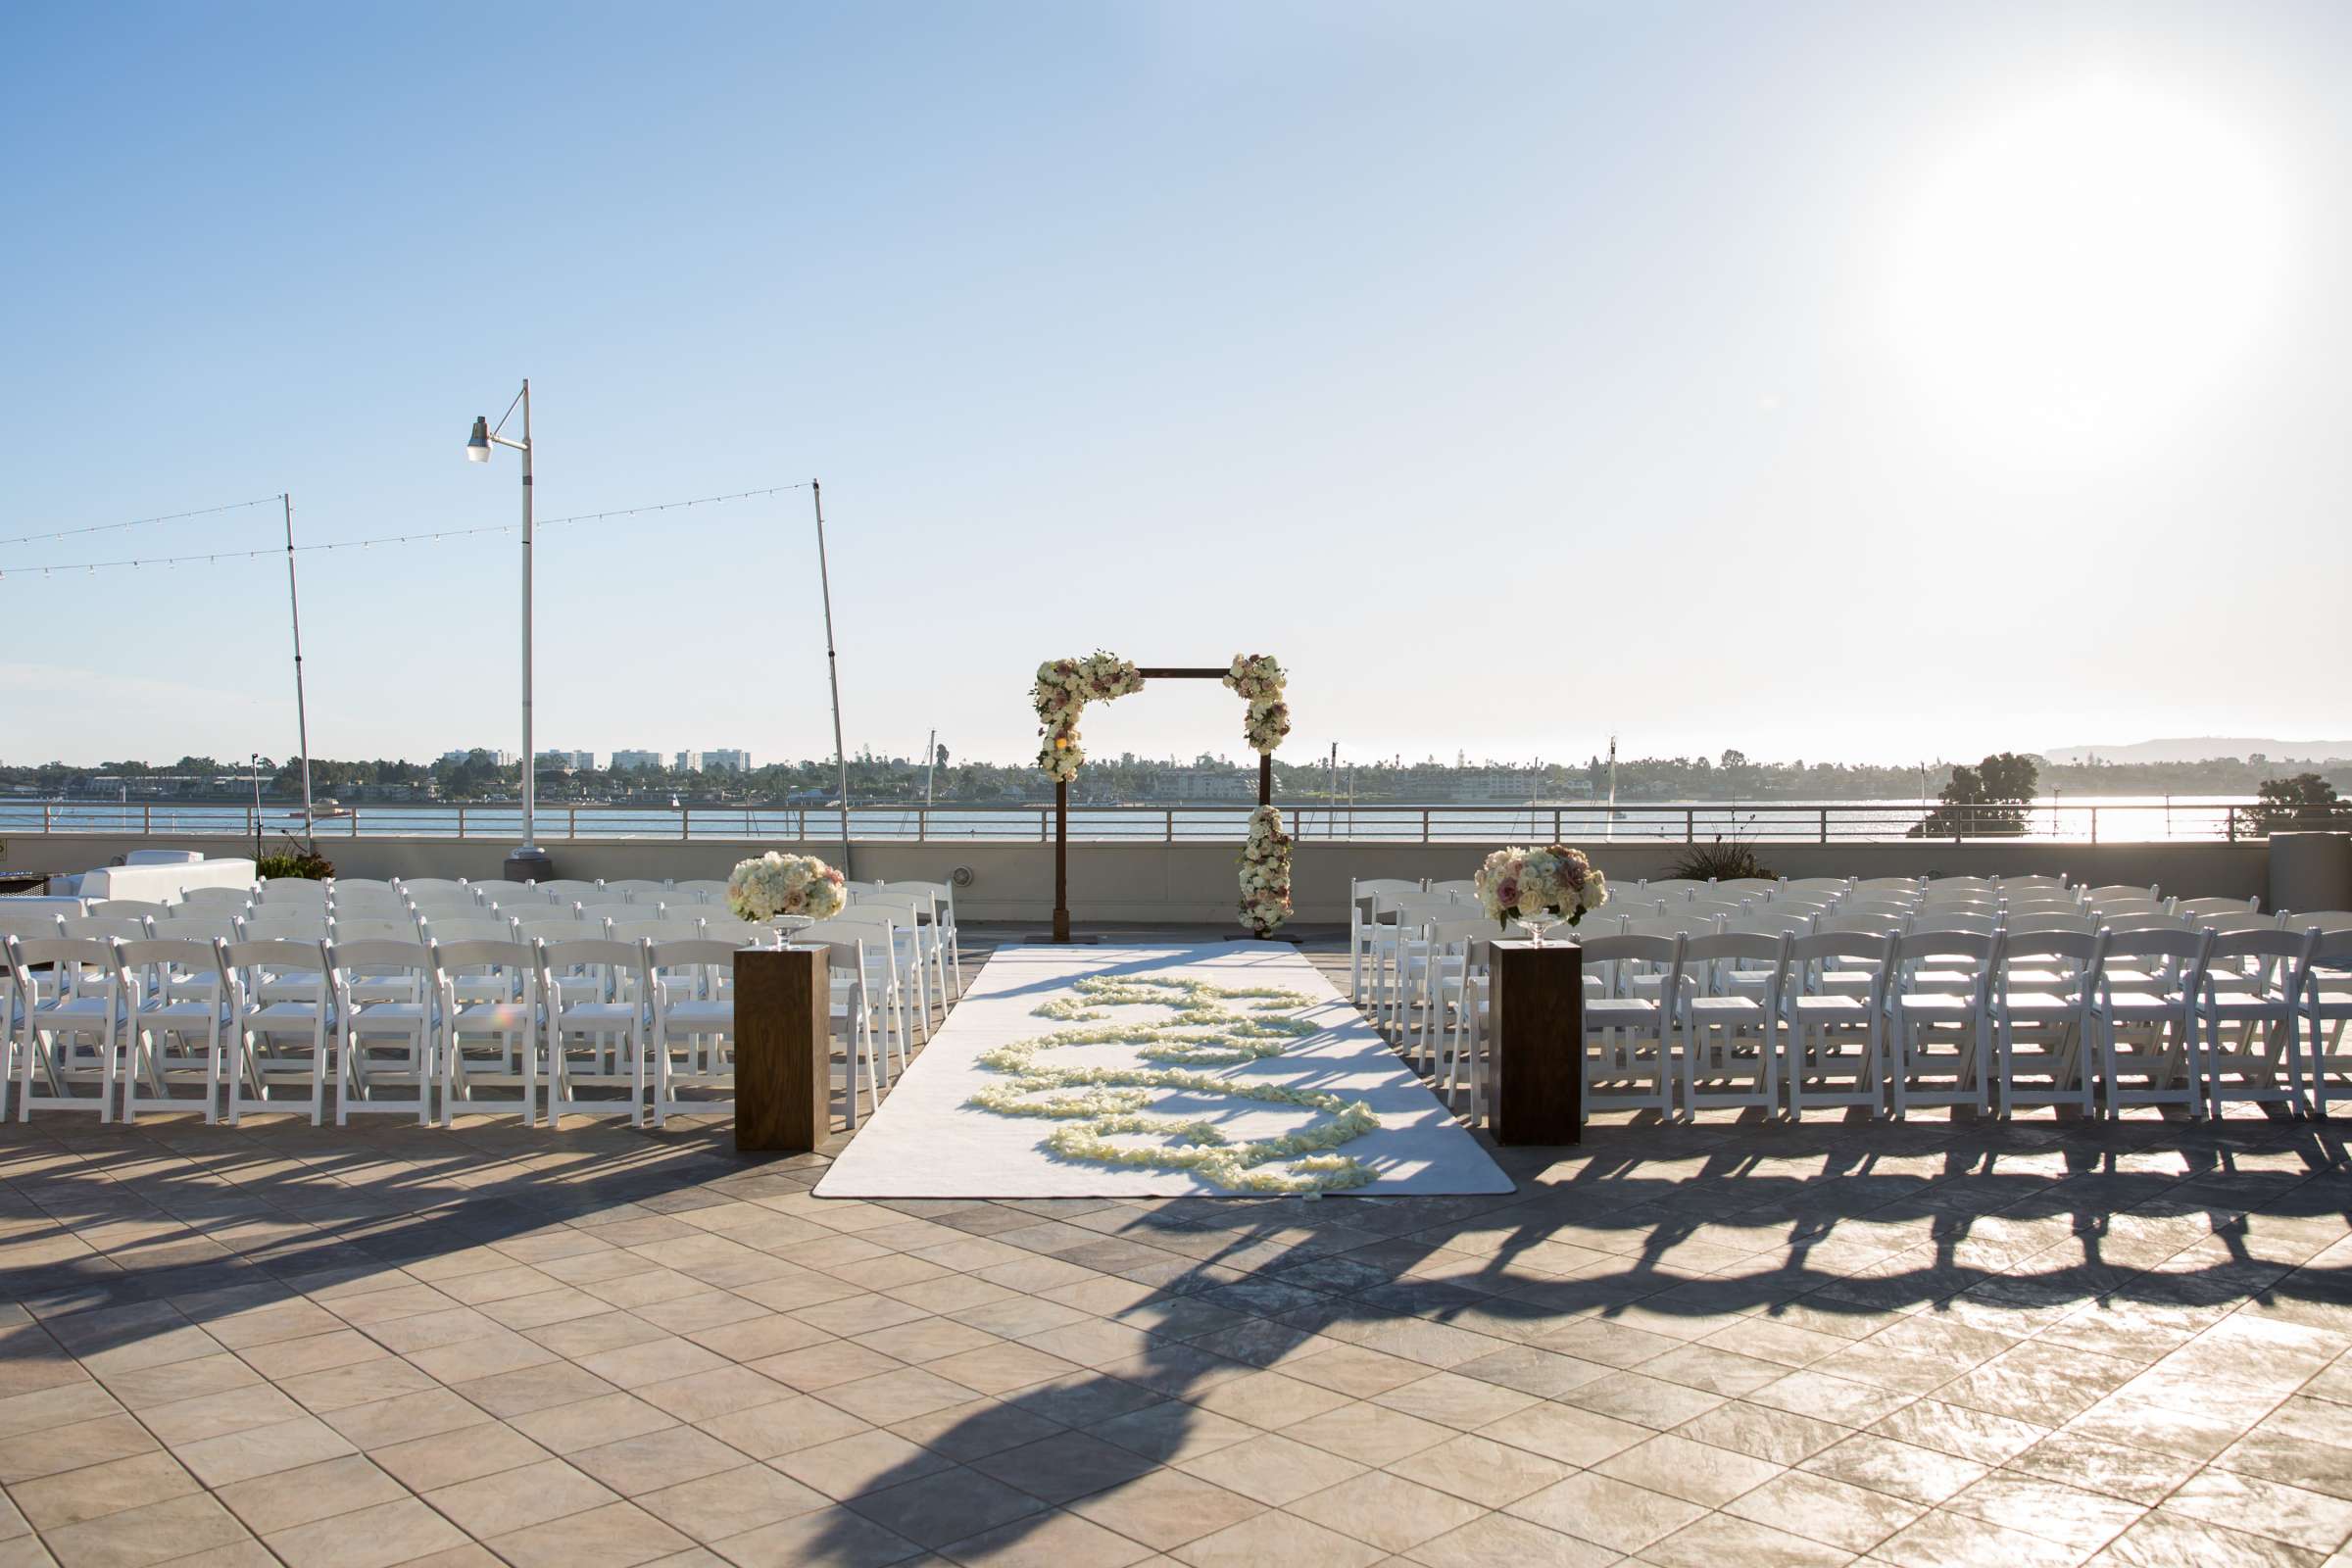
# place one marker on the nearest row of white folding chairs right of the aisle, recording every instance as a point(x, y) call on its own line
point(2033, 1007)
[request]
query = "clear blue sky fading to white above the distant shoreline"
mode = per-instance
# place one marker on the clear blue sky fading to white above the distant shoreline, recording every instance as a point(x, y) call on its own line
point(1831, 382)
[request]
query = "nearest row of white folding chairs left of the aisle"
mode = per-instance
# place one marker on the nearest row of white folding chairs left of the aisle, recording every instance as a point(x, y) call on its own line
point(128, 1033)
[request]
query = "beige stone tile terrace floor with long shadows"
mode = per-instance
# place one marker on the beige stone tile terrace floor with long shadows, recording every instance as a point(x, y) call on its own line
point(1725, 1343)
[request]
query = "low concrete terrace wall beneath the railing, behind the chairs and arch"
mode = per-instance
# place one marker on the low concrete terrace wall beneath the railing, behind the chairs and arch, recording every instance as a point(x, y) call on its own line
point(1196, 883)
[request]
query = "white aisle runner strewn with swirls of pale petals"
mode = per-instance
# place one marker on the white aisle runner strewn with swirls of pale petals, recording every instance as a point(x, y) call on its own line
point(933, 1144)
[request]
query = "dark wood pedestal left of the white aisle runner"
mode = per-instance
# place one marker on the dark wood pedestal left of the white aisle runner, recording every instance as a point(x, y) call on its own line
point(784, 1052)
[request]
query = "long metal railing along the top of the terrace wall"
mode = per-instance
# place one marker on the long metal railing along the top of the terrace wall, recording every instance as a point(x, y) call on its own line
point(2118, 822)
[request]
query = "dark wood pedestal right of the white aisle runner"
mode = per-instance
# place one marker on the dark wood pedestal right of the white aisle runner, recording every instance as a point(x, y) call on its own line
point(1539, 1043)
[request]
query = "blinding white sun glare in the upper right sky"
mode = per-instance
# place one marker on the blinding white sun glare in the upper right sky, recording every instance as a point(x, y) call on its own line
point(2083, 272)
